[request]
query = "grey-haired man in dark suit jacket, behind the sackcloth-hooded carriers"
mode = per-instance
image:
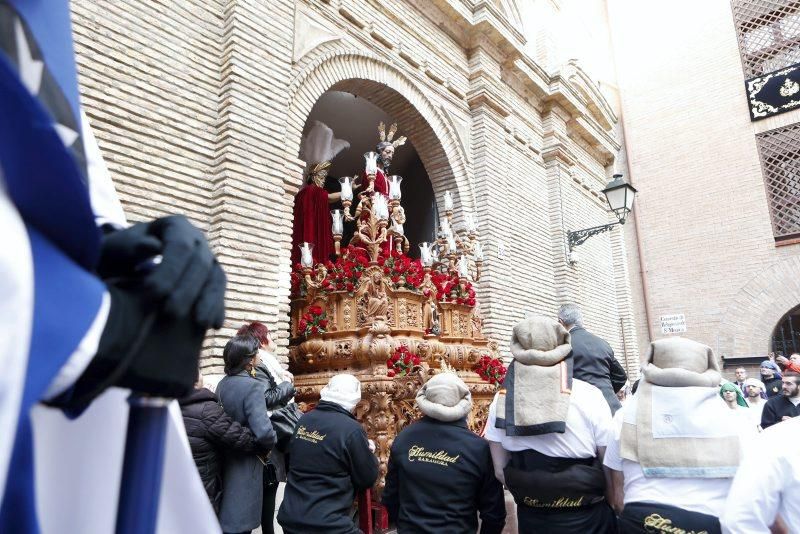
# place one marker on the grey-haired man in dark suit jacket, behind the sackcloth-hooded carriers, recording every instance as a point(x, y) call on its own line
point(593, 357)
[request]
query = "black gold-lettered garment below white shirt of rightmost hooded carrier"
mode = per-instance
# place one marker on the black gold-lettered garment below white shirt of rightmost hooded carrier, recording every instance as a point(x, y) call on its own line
point(642, 517)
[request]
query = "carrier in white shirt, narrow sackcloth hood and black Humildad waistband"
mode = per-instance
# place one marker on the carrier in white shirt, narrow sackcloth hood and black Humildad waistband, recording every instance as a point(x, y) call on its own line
point(547, 434)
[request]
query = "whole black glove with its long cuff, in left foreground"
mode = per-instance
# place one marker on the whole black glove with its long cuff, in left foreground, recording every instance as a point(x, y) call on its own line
point(159, 311)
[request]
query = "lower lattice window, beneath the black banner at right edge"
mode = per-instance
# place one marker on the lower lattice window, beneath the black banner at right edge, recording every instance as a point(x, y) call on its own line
point(780, 162)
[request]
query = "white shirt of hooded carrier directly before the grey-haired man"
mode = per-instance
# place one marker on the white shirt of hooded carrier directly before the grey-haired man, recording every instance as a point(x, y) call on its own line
point(588, 427)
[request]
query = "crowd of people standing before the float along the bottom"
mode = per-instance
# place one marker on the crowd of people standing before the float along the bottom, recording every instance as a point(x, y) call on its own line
point(681, 452)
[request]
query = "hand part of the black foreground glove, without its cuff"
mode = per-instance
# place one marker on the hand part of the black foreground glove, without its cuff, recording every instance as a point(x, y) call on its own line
point(187, 281)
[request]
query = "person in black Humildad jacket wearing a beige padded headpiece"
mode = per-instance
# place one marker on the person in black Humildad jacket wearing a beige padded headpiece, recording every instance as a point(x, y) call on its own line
point(441, 473)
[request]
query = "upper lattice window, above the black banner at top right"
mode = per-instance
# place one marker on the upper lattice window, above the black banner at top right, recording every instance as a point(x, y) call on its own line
point(768, 33)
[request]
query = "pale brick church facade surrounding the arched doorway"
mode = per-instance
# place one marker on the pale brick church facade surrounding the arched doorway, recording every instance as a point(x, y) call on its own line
point(199, 107)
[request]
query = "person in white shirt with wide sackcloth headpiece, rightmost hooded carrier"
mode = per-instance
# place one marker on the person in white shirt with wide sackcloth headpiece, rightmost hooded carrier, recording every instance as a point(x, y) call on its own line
point(677, 446)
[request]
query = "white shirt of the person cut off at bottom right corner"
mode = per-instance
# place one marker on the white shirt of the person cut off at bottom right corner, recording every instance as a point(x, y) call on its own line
point(767, 483)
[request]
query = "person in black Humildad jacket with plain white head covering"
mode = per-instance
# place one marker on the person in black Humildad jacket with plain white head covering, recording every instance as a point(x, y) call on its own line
point(330, 460)
